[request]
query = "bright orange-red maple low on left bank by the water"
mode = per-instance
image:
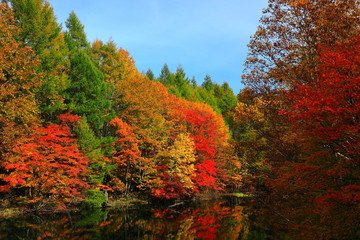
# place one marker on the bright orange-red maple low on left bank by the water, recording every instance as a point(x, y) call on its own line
point(49, 166)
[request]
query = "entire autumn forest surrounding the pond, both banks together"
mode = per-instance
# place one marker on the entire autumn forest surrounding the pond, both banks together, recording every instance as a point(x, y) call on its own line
point(80, 126)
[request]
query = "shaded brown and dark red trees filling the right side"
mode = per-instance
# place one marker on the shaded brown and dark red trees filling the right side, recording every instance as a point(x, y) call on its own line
point(297, 122)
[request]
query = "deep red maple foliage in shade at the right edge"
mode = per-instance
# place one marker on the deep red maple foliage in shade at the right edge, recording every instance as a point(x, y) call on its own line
point(325, 114)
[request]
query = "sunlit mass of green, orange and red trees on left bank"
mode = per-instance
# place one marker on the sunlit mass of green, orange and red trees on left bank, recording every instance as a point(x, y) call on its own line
point(78, 121)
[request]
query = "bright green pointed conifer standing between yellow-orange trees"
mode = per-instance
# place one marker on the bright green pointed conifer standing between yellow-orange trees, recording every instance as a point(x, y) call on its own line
point(88, 93)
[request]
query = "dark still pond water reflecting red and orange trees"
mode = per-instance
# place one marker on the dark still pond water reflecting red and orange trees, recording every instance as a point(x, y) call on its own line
point(228, 218)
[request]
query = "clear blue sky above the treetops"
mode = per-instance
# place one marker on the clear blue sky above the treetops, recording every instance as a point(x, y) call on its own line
point(203, 36)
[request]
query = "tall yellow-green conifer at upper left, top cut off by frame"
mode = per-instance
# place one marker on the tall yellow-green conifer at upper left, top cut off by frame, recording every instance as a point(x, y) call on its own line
point(42, 33)
